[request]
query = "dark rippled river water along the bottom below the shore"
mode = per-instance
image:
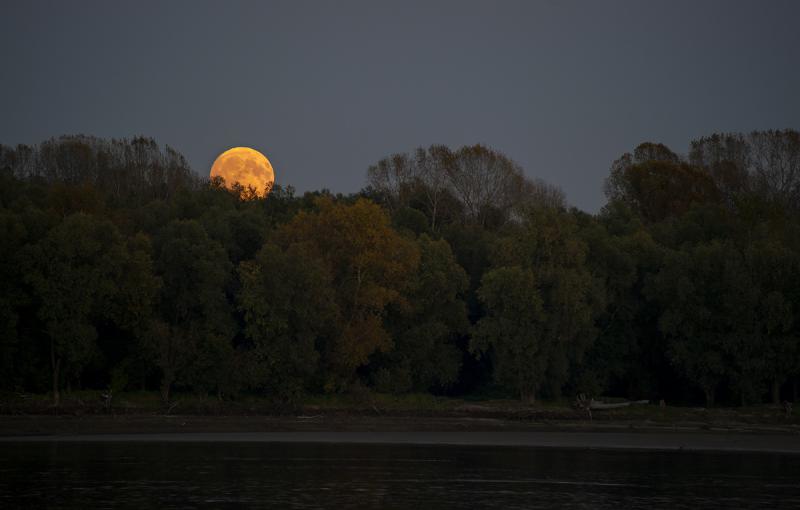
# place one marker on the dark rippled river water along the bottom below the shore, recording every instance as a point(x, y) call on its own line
point(302, 475)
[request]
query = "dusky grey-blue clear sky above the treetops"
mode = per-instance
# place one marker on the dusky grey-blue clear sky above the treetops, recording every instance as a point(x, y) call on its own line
point(327, 88)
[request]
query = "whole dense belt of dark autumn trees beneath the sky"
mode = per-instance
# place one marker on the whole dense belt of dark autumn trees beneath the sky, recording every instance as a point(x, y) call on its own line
point(451, 272)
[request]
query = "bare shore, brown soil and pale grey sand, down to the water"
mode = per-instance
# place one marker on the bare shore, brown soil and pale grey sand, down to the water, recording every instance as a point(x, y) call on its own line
point(409, 430)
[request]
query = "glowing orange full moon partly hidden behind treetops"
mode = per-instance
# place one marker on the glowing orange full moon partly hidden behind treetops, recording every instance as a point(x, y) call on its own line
point(246, 166)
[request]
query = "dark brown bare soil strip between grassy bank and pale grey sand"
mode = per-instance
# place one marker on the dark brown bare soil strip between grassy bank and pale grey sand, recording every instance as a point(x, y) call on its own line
point(69, 425)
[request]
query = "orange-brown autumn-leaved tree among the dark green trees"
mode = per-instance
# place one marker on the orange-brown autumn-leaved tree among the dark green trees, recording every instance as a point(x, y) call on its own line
point(370, 265)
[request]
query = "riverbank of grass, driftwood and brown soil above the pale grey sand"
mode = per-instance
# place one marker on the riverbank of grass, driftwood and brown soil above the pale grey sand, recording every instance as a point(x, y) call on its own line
point(86, 413)
